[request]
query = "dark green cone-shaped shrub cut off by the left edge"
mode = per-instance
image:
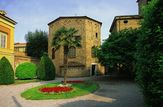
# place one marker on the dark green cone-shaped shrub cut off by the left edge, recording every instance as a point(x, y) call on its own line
point(6, 72)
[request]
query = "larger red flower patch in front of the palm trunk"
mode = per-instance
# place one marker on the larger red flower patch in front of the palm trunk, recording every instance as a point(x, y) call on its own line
point(56, 89)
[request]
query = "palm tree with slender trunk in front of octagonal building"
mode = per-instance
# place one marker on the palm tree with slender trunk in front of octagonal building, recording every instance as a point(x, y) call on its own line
point(65, 37)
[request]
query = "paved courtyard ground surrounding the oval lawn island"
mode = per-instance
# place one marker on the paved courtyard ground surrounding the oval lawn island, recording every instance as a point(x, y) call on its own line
point(111, 94)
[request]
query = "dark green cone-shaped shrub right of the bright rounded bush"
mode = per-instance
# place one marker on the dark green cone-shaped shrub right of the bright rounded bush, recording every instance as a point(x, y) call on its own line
point(46, 68)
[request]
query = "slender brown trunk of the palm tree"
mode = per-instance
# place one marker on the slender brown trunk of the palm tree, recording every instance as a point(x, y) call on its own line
point(65, 64)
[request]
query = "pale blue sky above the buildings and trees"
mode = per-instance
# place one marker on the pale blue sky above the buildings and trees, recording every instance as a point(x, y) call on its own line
point(36, 14)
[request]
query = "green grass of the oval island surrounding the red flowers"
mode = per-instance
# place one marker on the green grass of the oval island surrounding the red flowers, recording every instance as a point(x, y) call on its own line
point(79, 89)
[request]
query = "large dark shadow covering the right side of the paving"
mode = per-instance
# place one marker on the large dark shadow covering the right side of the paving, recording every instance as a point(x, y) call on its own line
point(112, 93)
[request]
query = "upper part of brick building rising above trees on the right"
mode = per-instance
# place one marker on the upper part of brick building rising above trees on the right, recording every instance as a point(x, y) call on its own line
point(124, 22)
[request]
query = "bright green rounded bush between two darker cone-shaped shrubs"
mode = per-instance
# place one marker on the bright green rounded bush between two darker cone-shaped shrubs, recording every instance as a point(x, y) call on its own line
point(26, 70)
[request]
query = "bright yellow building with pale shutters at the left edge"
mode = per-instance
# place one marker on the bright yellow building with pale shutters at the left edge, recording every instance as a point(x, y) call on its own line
point(7, 37)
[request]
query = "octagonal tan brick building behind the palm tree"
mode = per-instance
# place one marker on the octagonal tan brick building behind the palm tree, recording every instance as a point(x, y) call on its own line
point(81, 61)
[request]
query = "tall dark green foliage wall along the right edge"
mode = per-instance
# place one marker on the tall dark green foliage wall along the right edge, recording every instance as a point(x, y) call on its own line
point(149, 72)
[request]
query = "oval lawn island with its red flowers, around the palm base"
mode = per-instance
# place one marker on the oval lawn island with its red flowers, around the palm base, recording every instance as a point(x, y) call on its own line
point(59, 91)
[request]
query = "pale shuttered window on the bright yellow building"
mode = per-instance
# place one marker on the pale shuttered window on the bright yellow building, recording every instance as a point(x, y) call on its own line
point(3, 40)
